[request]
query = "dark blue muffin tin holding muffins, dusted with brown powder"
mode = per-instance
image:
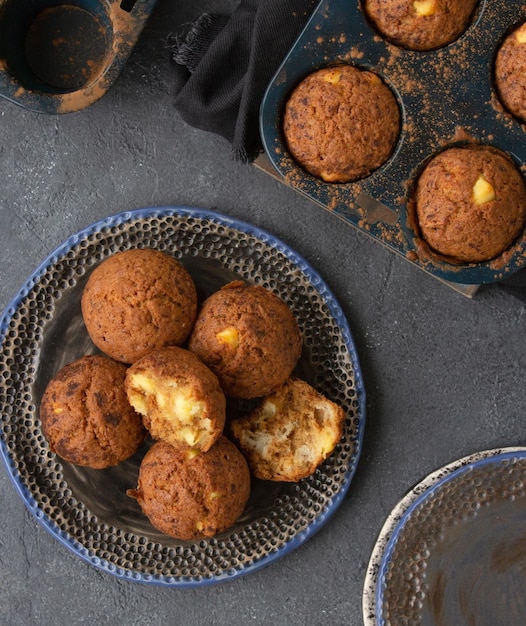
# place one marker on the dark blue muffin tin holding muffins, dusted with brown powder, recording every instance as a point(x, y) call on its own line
point(446, 97)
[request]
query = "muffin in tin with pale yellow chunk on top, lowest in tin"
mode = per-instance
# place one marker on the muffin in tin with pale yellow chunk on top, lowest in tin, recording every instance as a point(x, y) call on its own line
point(470, 203)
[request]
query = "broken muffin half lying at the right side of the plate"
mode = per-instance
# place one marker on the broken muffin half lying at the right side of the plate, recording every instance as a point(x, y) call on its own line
point(290, 433)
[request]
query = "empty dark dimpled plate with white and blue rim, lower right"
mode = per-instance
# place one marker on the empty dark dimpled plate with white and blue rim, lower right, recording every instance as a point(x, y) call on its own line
point(453, 550)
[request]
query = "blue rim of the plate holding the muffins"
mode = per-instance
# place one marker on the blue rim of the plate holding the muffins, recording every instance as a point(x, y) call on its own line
point(331, 302)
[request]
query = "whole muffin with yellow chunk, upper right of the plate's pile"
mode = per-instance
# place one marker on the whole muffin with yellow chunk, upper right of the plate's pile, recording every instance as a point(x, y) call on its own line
point(248, 337)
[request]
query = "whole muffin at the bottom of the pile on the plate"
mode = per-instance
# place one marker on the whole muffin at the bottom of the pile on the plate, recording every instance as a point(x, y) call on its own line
point(190, 495)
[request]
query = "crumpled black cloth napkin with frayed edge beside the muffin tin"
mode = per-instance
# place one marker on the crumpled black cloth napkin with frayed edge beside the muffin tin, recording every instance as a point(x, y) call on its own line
point(226, 63)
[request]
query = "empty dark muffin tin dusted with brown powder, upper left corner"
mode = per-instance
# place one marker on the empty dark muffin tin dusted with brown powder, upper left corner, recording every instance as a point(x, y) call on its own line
point(60, 57)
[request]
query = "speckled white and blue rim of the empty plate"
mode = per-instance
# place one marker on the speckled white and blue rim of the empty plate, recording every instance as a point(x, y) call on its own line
point(398, 516)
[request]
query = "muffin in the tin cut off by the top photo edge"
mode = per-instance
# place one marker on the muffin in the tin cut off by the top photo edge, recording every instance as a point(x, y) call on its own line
point(420, 24)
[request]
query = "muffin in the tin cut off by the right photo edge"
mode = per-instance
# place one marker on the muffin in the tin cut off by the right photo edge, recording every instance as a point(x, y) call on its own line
point(510, 72)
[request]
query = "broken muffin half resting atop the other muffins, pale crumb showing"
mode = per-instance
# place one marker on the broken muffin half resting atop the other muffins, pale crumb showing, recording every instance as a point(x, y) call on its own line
point(179, 398)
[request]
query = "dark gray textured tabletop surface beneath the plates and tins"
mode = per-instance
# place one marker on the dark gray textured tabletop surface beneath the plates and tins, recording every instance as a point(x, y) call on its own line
point(444, 374)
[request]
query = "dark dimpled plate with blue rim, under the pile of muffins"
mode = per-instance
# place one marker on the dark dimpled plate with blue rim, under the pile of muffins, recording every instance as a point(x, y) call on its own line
point(88, 510)
